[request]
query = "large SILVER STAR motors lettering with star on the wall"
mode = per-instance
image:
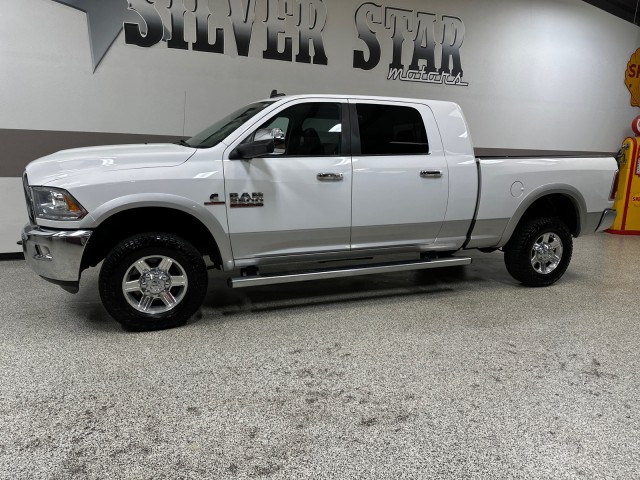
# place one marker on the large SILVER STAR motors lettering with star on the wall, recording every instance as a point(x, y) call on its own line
point(148, 23)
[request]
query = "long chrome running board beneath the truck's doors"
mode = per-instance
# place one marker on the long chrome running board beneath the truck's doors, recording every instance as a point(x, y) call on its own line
point(353, 271)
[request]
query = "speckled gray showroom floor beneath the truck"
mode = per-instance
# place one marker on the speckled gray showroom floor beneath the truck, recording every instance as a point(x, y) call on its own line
point(458, 373)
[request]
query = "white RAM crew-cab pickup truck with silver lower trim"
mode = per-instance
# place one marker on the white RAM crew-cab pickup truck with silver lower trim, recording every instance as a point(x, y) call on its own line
point(314, 179)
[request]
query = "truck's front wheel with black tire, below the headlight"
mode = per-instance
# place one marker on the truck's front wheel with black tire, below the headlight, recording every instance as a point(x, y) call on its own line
point(166, 295)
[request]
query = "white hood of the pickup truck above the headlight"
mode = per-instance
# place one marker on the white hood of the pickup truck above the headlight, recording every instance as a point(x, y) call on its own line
point(68, 163)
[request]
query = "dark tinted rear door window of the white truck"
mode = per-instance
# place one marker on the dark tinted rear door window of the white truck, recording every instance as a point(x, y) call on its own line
point(391, 130)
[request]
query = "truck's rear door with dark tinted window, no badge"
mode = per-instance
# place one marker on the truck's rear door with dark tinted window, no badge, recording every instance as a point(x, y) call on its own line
point(400, 176)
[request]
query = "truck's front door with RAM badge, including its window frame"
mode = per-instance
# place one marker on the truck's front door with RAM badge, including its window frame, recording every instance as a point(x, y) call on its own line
point(295, 202)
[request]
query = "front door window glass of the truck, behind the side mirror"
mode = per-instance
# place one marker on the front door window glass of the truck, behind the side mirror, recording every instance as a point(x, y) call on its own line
point(310, 129)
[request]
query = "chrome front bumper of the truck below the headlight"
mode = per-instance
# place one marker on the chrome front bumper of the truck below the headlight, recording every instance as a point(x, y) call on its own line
point(54, 255)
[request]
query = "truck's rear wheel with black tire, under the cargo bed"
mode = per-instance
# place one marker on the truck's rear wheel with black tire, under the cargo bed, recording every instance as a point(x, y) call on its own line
point(531, 255)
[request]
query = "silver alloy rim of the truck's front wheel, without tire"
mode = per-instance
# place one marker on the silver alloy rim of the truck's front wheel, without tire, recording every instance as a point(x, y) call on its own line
point(155, 284)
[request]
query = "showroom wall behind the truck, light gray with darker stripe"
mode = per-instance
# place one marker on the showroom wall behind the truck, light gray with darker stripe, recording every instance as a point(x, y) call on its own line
point(533, 74)
